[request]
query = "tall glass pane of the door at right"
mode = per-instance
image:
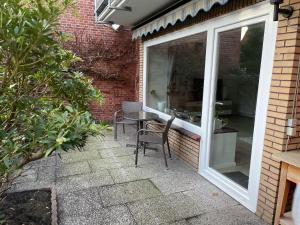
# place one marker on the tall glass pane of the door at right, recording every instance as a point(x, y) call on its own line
point(240, 53)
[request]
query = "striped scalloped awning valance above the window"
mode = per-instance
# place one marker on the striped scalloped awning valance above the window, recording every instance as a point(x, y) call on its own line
point(181, 13)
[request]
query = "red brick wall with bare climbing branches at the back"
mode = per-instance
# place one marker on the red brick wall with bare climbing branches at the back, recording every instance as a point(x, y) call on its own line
point(81, 21)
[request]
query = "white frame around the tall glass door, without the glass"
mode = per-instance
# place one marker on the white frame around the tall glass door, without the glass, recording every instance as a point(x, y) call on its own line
point(252, 15)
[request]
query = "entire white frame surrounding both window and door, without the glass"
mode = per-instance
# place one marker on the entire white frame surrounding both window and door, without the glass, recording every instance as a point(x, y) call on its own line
point(250, 15)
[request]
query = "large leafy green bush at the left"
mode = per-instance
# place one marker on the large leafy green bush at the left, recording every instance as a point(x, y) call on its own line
point(43, 104)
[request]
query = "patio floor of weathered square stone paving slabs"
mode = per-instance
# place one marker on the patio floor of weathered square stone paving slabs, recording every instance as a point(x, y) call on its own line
point(101, 185)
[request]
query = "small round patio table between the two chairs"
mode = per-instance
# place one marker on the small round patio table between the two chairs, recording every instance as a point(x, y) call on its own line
point(140, 118)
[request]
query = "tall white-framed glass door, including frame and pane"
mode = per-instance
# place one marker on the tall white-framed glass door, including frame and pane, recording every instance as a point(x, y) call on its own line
point(237, 92)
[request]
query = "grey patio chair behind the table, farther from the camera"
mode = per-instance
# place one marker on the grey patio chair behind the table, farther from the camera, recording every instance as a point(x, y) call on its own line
point(127, 107)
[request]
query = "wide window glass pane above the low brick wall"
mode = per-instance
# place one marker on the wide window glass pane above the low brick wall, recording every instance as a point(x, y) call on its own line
point(175, 77)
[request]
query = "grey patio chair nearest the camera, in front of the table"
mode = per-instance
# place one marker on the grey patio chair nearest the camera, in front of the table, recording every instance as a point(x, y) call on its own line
point(146, 136)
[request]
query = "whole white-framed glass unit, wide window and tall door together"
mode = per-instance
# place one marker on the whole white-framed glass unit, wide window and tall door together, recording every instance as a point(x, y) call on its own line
point(215, 77)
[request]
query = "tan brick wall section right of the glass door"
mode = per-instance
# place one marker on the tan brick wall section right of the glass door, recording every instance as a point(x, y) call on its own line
point(279, 110)
